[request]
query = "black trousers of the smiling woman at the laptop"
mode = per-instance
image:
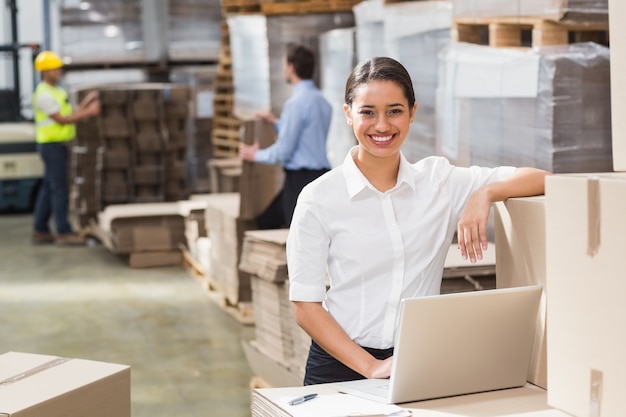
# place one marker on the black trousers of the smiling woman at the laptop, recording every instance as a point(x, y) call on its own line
point(322, 368)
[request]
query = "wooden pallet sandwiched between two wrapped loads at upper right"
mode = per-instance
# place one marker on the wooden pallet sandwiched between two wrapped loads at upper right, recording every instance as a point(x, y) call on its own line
point(527, 32)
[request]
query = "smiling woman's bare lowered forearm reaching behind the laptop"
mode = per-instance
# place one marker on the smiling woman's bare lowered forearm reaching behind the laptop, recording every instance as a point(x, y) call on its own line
point(322, 327)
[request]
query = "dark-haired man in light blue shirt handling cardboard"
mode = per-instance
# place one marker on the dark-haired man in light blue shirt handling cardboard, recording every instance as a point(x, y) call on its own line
point(301, 144)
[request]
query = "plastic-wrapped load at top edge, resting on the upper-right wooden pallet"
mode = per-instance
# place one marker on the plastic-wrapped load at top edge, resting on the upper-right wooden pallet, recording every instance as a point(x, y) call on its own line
point(577, 10)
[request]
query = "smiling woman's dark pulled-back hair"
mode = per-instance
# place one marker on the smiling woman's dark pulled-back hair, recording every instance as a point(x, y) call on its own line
point(380, 69)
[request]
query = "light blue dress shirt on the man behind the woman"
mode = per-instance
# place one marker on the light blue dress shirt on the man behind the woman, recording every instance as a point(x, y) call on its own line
point(302, 131)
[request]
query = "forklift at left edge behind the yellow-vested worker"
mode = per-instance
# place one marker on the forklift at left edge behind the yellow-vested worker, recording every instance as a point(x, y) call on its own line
point(21, 168)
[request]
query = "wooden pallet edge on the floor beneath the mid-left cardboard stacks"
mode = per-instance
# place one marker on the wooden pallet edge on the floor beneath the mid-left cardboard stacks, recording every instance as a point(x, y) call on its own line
point(242, 311)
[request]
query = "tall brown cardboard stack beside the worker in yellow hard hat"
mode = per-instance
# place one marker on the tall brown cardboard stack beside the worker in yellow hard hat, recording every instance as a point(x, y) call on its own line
point(134, 151)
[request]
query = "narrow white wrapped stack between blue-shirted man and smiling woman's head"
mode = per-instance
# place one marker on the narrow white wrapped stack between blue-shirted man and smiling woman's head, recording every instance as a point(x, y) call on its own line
point(337, 59)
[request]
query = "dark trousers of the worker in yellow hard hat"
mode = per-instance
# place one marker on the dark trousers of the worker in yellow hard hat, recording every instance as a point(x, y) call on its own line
point(52, 199)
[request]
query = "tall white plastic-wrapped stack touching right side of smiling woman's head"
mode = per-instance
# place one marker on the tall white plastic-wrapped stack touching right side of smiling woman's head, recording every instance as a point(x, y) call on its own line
point(415, 33)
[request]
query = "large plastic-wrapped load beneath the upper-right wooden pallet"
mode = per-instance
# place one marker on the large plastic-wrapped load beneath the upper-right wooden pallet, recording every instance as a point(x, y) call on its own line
point(547, 108)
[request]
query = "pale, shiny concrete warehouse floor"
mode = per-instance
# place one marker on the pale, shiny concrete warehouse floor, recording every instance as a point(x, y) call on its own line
point(184, 351)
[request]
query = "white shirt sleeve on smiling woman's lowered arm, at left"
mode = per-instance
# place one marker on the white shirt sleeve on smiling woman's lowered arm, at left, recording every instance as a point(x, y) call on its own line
point(307, 252)
